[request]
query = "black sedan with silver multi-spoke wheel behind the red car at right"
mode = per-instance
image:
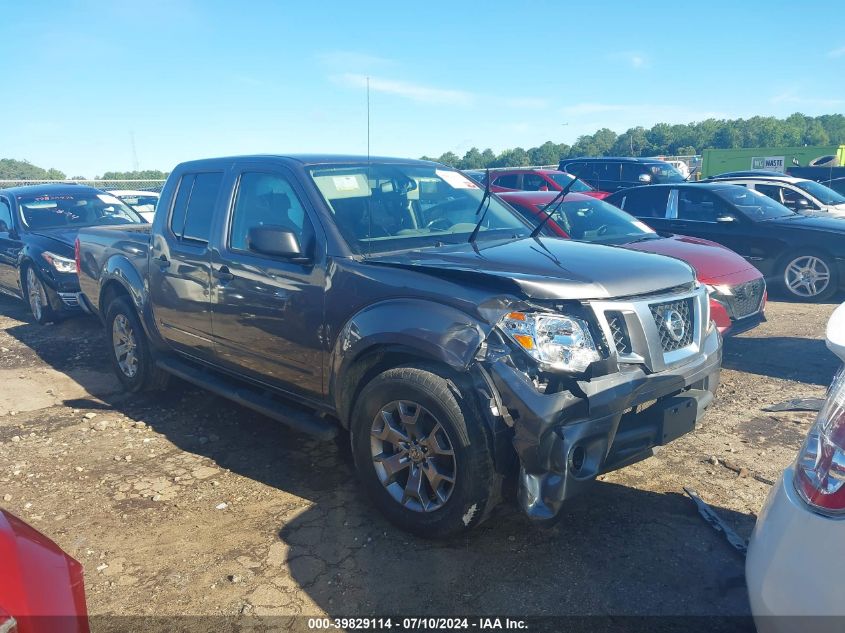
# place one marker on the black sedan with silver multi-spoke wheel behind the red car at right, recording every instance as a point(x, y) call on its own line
point(804, 255)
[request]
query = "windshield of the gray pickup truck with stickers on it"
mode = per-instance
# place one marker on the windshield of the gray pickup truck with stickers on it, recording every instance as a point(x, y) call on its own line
point(386, 207)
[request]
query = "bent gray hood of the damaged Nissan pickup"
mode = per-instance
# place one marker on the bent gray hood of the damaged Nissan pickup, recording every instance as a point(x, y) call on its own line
point(549, 268)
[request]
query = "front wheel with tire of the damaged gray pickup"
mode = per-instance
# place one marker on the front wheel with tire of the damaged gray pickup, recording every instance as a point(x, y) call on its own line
point(422, 453)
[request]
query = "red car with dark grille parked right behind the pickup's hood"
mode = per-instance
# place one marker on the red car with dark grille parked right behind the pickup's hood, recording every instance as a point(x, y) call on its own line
point(737, 289)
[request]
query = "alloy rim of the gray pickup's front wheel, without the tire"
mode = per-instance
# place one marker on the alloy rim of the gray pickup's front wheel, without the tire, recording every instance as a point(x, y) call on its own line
point(413, 456)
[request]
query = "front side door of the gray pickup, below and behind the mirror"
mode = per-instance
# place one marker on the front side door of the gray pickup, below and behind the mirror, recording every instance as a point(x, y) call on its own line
point(267, 311)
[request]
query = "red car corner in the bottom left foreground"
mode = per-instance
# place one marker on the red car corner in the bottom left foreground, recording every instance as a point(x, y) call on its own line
point(41, 587)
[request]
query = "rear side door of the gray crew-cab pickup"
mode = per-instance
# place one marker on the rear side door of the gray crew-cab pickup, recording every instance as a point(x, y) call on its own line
point(180, 265)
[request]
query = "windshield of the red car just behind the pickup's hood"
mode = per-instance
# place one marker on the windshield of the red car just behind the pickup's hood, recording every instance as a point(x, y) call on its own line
point(597, 221)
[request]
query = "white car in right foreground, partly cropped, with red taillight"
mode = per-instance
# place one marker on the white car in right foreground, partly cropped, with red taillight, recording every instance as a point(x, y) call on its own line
point(795, 557)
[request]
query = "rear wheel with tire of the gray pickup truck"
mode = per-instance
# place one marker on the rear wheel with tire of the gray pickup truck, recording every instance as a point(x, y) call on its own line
point(130, 355)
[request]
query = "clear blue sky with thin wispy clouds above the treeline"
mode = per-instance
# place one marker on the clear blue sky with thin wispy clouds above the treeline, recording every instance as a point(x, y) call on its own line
point(201, 78)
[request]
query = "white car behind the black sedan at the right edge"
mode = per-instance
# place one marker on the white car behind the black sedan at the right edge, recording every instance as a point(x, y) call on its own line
point(799, 194)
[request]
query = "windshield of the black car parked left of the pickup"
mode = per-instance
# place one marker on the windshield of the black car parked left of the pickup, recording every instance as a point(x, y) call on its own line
point(74, 209)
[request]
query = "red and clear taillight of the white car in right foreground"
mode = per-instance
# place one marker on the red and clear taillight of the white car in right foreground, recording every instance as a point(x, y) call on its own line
point(820, 468)
